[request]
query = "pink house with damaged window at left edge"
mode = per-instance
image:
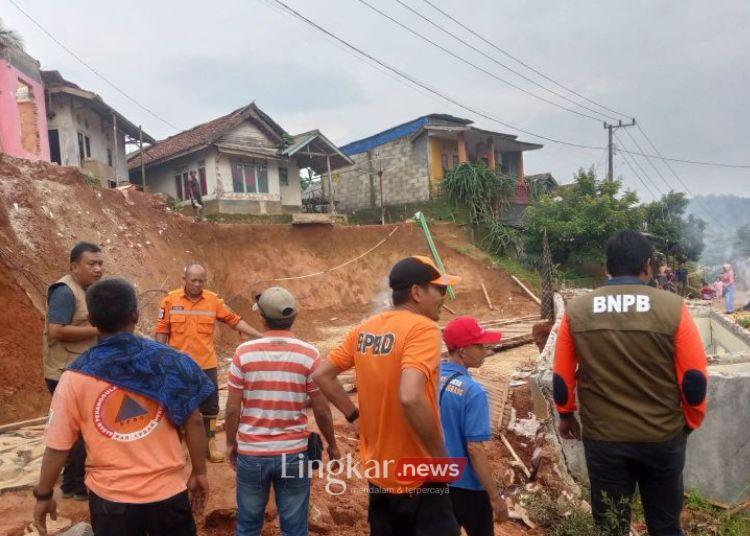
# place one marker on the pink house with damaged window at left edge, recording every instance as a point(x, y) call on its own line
point(23, 121)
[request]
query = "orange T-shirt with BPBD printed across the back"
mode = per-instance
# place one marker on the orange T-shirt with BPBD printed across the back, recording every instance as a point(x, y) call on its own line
point(379, 349)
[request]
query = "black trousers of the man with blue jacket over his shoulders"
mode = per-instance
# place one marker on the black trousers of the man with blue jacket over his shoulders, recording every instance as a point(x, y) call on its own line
point(170, 517)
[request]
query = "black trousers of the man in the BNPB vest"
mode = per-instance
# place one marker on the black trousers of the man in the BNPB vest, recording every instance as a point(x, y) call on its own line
point(615, 468)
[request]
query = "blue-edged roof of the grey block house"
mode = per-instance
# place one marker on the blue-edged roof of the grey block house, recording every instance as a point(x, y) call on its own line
point(416, 127)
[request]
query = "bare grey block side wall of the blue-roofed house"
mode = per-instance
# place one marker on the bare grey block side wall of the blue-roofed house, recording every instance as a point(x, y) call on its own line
point(405, 176)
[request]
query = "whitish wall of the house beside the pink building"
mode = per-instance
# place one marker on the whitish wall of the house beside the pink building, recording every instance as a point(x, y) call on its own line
point(69, 116)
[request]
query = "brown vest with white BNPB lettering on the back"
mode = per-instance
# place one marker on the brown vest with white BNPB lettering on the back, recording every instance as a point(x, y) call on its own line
point(624, 338)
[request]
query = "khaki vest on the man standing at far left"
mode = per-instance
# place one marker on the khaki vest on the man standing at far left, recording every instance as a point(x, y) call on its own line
point(57, 355)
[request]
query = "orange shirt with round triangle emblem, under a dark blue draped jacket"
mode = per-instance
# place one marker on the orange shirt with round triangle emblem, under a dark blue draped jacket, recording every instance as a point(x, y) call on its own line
point(133, 452)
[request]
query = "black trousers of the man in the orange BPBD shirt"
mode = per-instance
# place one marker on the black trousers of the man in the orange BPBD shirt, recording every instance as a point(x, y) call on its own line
point(426, 512)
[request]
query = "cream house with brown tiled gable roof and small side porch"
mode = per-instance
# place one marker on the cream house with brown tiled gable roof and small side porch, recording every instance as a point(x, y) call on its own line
point(246, 163)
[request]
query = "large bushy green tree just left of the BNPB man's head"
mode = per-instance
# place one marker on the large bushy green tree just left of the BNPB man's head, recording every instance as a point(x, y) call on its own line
point(579, 218)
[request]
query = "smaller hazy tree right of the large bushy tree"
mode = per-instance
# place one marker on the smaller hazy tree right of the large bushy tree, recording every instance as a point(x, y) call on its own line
point(672, 234)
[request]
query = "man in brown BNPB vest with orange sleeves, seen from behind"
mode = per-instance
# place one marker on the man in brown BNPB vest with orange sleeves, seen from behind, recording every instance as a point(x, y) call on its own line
point(637, 361)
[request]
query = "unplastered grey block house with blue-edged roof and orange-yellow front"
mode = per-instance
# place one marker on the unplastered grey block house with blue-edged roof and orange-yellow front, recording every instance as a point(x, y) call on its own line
point(415, 156)
